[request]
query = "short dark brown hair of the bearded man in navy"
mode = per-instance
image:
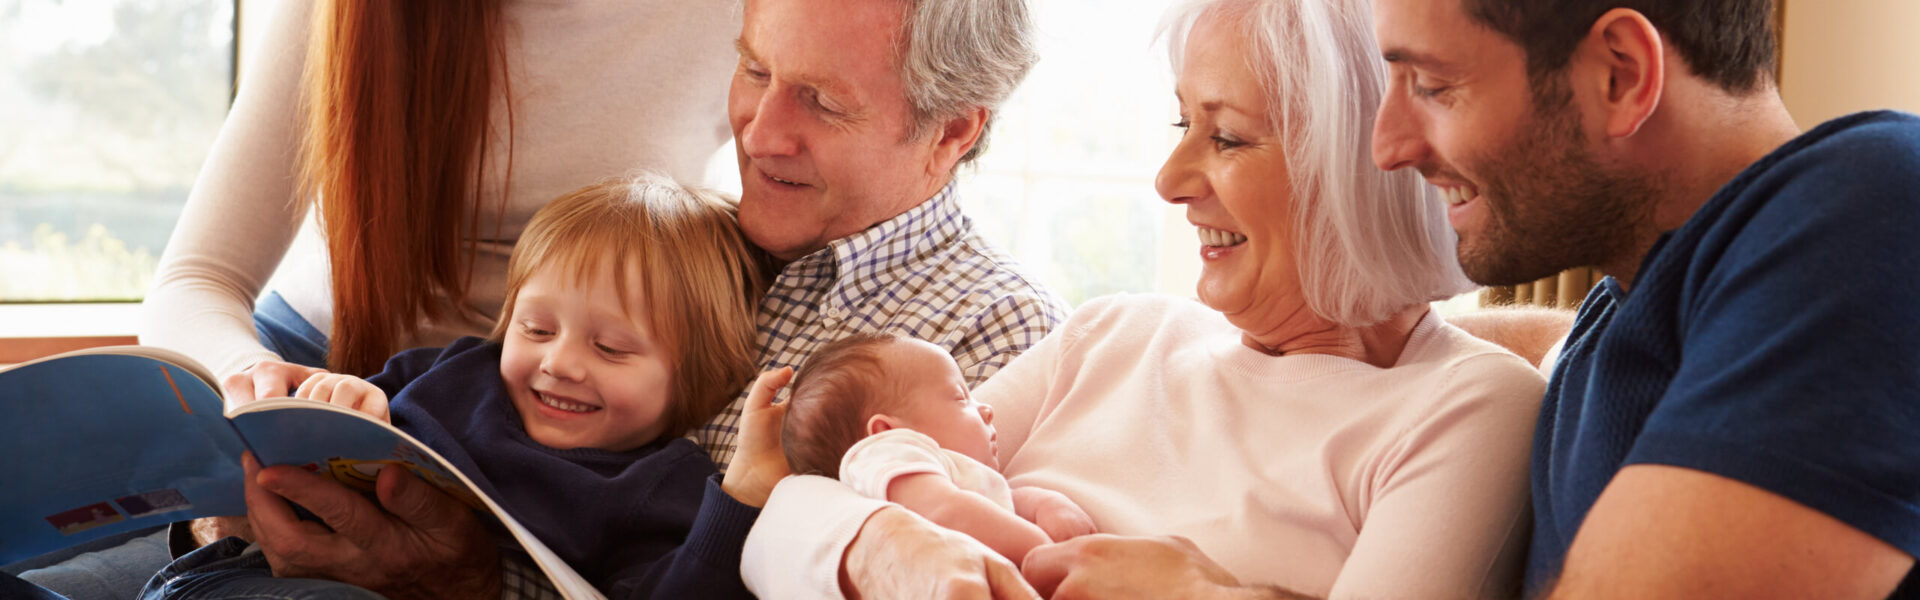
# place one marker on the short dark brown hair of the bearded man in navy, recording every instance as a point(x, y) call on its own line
point(1729, 43)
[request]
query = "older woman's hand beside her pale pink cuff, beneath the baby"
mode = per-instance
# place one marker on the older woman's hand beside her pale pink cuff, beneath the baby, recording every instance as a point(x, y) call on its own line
point(898, 555)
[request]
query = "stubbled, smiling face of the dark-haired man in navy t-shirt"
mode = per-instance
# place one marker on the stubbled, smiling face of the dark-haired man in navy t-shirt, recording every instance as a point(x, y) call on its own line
point(1524, 184)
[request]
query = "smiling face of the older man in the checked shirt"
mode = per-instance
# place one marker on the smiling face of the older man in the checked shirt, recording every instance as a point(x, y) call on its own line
point(823, 124)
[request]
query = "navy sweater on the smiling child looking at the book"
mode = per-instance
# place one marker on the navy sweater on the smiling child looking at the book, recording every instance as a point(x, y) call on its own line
point(642, 524)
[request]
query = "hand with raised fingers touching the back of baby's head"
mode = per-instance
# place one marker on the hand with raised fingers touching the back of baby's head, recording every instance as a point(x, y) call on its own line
point(757, 459)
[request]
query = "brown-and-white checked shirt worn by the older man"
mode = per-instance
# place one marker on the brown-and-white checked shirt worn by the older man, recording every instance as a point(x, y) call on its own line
point(923, 274)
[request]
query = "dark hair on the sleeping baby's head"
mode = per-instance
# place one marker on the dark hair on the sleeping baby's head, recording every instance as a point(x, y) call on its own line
point(836, 391)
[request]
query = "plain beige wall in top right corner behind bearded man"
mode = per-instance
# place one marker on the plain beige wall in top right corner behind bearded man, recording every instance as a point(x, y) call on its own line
point(1850, 55)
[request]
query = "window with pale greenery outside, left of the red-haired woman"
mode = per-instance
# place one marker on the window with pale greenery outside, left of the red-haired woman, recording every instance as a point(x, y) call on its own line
point(110, 109)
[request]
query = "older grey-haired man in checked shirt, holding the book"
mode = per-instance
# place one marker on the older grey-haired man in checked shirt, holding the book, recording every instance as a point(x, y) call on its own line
point(852, 120)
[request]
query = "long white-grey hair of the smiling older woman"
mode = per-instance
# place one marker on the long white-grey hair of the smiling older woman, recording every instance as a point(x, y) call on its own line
point(1370, 243)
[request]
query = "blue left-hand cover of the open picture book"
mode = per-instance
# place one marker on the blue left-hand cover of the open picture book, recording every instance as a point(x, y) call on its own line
point(108, 441)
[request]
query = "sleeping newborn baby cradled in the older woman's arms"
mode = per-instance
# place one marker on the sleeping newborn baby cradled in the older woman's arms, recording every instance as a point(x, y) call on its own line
point(892, 418)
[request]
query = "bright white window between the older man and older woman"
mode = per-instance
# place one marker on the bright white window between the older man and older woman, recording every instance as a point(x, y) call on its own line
point(1067, 184)
